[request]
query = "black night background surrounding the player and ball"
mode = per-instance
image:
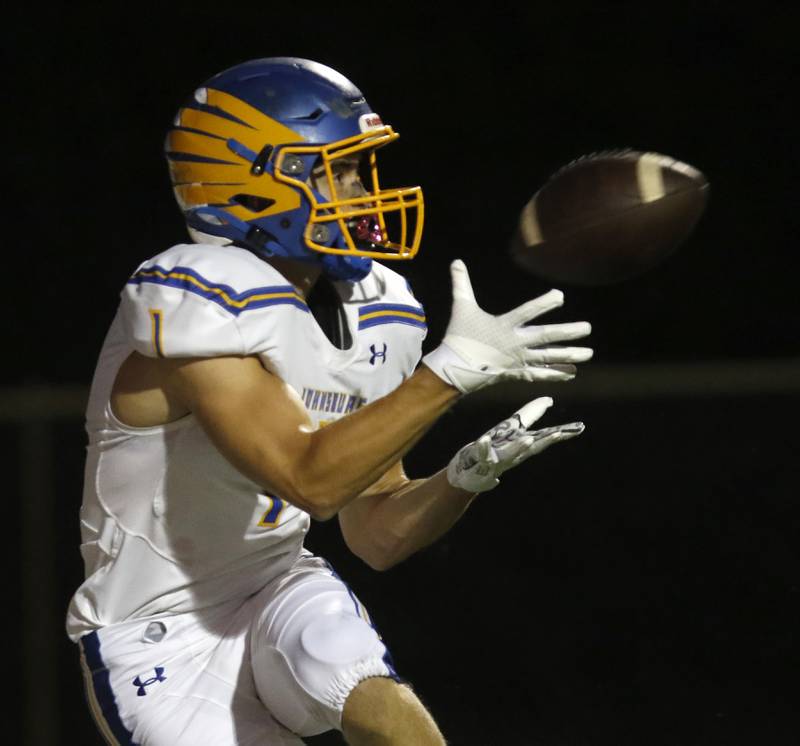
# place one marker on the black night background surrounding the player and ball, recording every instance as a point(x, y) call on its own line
point(636, 586)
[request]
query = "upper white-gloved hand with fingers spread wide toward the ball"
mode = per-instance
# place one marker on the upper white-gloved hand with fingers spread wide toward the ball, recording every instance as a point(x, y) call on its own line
point(480, 349)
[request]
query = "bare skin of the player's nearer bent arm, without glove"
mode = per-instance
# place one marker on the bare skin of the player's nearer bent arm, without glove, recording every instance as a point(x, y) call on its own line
point(261, 426)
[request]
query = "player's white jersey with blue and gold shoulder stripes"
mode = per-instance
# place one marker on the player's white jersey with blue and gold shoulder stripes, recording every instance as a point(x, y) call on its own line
point(167, 524)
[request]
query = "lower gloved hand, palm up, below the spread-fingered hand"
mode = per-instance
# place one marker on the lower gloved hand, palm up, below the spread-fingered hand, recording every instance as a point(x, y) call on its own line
point(478, 465)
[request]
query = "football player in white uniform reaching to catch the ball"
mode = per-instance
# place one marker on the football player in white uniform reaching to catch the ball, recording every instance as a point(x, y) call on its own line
point(262, 375)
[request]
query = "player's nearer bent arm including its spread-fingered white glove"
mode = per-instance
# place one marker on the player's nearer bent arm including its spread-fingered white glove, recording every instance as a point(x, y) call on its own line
point(262, 427)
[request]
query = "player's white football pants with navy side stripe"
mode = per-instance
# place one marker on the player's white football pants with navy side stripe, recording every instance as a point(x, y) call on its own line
point(264, 671)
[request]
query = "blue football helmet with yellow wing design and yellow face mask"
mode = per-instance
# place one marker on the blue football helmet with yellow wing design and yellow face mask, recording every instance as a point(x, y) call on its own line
point(242, 151)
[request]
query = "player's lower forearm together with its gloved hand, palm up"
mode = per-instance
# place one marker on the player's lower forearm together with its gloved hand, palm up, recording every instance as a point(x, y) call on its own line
point(397, 517)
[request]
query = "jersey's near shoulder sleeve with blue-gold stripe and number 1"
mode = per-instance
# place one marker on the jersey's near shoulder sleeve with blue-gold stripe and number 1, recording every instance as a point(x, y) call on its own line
point(199, 300)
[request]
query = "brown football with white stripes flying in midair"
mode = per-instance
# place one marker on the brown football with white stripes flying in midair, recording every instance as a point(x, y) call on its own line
point(609, 216)
